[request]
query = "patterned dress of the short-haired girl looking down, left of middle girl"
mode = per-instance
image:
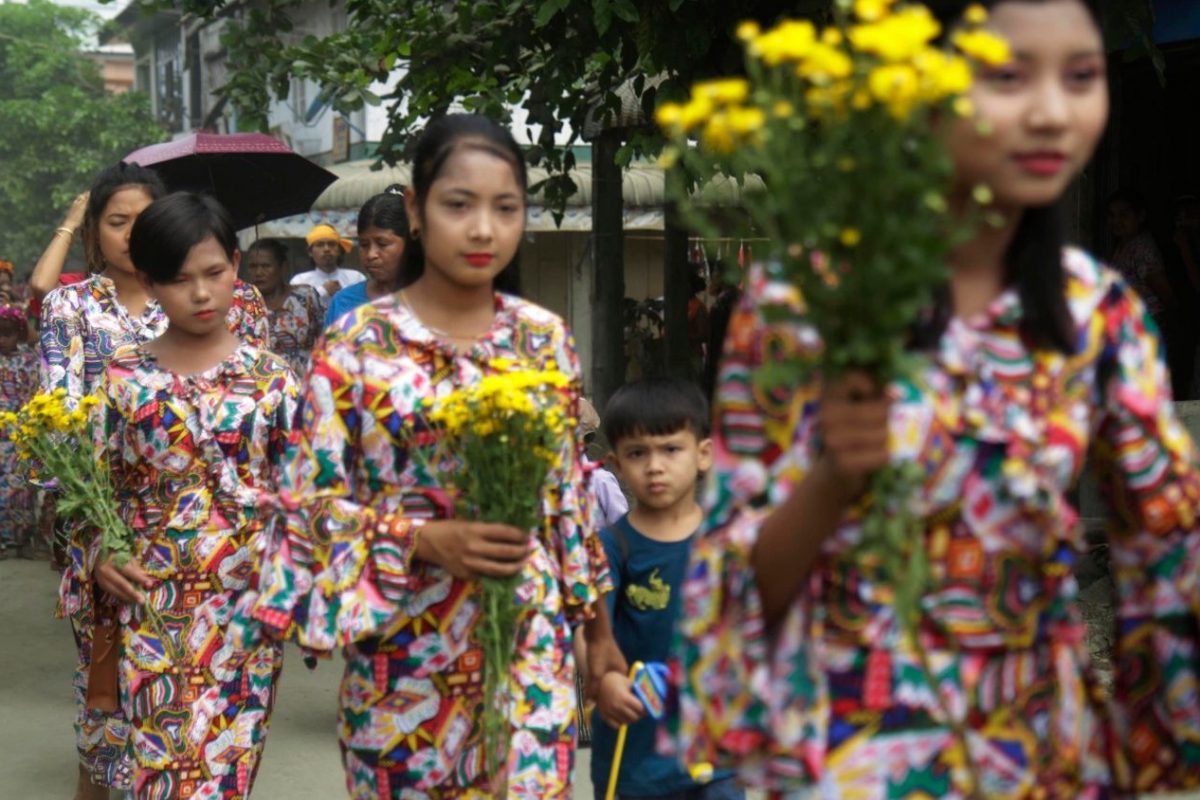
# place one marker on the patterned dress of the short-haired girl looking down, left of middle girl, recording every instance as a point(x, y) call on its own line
point(193, 459)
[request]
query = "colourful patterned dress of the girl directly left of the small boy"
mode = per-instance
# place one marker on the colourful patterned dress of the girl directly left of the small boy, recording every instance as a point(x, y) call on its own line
point(341, 572)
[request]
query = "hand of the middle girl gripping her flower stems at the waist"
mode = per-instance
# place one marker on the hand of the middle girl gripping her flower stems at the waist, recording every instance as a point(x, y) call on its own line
point(473, 550)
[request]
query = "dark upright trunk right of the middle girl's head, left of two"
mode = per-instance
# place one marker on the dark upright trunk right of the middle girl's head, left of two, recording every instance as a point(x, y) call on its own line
point(609, 269)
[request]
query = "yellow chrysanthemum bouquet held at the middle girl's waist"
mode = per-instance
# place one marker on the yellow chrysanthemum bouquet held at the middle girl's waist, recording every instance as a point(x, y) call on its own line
point(499, 441)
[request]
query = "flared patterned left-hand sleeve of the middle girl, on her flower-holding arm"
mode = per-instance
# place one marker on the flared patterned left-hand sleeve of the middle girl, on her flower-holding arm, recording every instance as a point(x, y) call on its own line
point(334, 566)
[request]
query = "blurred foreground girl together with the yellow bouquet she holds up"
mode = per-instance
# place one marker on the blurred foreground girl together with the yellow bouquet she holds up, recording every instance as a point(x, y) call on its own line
point(830, 647)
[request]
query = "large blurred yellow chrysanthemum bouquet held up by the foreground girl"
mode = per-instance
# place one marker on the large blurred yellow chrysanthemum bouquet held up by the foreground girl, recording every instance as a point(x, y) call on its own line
point(842, 128)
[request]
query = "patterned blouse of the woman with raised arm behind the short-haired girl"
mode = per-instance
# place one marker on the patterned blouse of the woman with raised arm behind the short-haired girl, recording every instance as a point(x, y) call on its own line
point(83, 326)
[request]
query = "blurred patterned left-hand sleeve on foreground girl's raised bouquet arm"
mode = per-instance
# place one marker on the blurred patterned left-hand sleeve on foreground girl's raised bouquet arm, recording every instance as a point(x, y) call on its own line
point(752, 699)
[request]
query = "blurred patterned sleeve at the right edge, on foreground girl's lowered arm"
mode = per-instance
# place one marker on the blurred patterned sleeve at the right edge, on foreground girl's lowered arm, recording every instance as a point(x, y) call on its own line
point(1148, 468)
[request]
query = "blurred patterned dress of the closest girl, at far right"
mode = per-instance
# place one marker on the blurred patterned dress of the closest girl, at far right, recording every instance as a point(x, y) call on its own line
point(831, 699)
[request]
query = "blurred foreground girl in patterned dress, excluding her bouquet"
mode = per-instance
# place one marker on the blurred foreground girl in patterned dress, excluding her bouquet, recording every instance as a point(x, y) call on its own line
point(790, 661)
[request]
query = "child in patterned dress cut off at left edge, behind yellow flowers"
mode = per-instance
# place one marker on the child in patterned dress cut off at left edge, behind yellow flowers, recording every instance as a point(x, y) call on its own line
point(19, 382)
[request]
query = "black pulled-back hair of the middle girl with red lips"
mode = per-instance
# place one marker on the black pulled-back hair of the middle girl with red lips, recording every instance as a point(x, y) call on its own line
point(442, 139)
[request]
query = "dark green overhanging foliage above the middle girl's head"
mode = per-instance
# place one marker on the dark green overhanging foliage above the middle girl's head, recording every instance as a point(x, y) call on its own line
point(561, 61)
